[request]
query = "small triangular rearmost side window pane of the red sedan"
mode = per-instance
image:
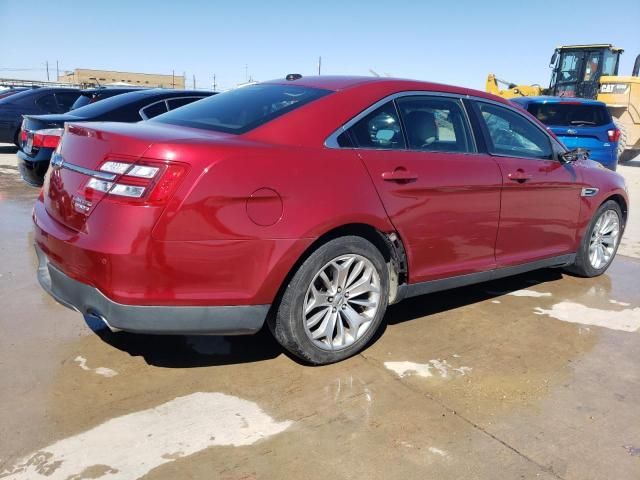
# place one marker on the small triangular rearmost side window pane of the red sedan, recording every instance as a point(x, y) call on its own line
point(381, 129)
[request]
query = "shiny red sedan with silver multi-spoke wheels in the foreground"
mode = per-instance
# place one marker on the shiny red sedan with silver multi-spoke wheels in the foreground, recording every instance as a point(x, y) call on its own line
point(311, 204)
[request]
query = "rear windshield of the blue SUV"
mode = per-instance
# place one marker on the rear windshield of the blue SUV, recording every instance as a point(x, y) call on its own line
point(564, 114)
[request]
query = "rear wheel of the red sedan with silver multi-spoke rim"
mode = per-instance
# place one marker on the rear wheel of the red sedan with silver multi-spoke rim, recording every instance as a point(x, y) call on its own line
point(317, 300)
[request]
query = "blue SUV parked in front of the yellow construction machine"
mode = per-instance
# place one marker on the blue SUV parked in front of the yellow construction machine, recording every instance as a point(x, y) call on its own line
point(578, 123)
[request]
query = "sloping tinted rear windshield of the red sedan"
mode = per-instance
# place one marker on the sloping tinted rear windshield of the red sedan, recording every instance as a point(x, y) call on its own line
point(242, 109)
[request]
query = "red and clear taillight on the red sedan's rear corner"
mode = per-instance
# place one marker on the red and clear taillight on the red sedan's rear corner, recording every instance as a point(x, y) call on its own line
point(147, 181)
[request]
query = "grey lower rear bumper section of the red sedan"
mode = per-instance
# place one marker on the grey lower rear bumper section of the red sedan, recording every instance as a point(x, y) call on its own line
point(217, 320)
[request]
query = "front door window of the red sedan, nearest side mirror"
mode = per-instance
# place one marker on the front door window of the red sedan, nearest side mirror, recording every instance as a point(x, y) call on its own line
point(513, 135)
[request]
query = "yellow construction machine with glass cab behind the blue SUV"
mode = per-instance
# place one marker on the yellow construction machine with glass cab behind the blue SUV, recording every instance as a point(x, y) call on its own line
point(590, 71)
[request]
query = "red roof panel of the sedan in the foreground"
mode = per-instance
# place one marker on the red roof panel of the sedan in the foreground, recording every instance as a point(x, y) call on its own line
point(337, 83)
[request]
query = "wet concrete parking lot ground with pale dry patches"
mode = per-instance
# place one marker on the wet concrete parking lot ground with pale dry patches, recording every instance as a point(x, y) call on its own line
point(535, 376)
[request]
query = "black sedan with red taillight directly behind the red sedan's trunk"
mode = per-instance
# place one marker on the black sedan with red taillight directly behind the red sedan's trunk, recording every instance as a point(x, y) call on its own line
point(41, 133)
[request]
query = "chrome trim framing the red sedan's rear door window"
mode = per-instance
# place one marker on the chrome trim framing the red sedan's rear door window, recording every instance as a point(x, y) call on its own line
point(332, 140)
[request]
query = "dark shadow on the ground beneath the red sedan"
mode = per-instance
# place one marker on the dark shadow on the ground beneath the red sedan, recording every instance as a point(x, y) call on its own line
point(180, 351)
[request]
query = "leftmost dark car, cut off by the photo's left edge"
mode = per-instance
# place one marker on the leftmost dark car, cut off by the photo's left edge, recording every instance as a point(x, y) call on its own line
point(32, 102)
